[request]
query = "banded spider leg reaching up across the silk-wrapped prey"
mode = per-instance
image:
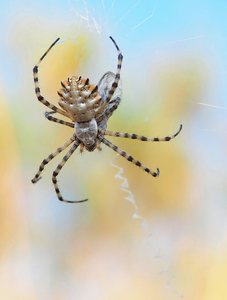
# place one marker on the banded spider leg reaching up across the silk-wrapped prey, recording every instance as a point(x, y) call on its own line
point(116, 80)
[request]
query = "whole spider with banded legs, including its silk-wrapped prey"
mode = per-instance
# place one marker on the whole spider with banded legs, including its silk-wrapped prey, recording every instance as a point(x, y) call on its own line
point(88, 107)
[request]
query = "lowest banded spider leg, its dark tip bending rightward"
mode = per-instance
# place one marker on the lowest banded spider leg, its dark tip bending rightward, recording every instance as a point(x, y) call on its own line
point(58, 169)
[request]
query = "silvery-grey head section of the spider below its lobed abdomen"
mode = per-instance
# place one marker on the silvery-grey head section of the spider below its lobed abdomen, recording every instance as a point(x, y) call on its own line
point(87, 132)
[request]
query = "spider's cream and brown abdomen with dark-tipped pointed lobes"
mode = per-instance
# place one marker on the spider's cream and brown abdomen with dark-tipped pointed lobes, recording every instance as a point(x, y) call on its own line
point(79, 99)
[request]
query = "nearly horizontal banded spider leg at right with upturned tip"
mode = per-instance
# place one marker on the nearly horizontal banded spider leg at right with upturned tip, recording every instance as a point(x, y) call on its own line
point(141, 137)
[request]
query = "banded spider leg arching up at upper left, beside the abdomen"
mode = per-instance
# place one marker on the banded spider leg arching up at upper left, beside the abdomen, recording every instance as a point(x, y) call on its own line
point(37, 88)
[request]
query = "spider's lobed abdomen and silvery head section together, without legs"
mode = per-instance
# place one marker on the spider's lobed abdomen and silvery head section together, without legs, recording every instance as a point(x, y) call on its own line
point(81, 101)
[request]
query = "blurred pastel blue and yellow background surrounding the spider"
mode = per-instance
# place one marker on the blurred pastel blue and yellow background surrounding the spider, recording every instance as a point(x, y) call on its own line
point(138, 237)
